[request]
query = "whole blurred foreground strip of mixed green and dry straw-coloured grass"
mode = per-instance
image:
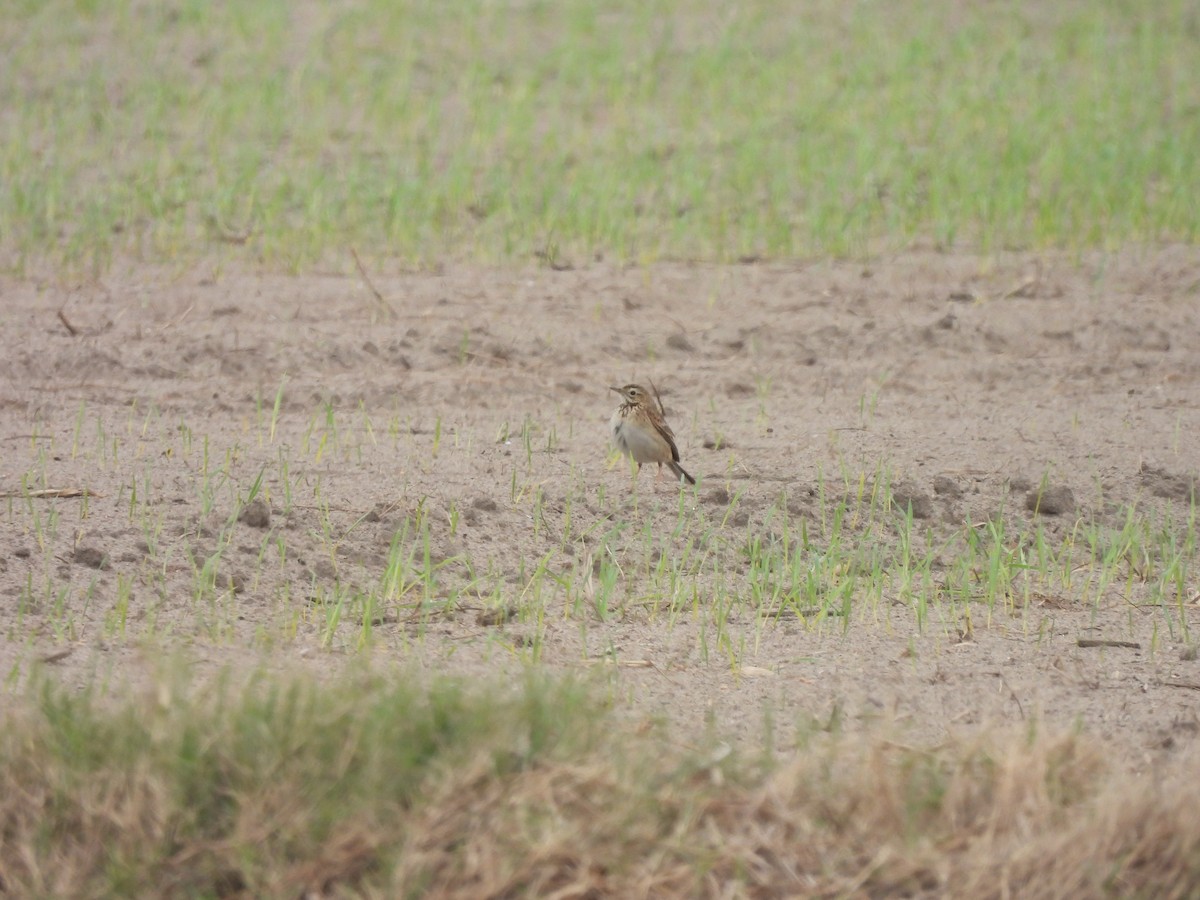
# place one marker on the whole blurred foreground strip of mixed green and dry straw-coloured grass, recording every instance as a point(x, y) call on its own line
point(269, 789)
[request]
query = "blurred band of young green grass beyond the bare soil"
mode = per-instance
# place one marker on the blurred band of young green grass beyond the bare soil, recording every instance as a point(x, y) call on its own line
point(285, 134)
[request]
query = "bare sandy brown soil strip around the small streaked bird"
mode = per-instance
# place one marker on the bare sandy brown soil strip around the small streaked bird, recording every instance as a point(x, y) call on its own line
point(965, 382)
